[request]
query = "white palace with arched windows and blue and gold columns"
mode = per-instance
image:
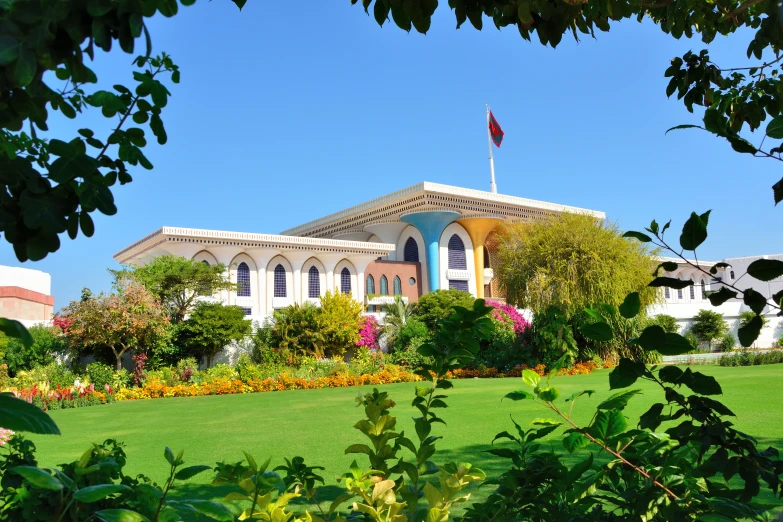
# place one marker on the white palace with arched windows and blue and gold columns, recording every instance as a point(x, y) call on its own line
point(410, 242)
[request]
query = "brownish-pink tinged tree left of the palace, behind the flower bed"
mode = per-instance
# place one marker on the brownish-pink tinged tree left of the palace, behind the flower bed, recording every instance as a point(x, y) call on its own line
point(129, 319)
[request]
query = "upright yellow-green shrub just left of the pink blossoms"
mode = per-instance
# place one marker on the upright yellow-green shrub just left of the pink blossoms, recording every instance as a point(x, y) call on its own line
point(338, 321)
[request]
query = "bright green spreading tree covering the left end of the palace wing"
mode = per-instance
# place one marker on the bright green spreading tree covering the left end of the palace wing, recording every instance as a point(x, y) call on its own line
point(177, 282)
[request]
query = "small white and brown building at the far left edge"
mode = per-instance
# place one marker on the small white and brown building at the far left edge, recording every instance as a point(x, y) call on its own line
point(25, 295)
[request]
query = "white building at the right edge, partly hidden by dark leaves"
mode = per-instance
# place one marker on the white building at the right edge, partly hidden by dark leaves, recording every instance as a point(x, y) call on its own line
point(686, 303)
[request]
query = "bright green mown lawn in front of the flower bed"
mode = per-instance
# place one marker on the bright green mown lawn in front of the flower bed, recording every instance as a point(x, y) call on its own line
point(318, 424)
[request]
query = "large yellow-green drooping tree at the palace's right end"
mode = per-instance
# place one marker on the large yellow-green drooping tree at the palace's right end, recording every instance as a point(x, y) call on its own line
point(572, 261)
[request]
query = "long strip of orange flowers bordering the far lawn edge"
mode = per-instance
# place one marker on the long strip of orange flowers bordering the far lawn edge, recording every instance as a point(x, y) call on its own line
point(153, 388)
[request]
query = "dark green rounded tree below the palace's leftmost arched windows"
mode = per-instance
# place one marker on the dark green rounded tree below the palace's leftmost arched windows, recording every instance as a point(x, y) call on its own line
point(210, 327)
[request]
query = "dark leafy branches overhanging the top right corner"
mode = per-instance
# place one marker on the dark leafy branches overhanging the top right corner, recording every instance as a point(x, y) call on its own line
point(733, 101)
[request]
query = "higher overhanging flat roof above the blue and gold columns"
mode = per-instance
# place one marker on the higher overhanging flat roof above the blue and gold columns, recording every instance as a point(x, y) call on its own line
point(430, 196)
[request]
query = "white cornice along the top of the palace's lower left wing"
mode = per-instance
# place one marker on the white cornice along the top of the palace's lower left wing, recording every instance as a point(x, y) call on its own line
point(209, 238)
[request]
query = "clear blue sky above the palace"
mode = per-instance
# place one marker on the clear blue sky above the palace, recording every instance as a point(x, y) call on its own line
point(285, 114)
